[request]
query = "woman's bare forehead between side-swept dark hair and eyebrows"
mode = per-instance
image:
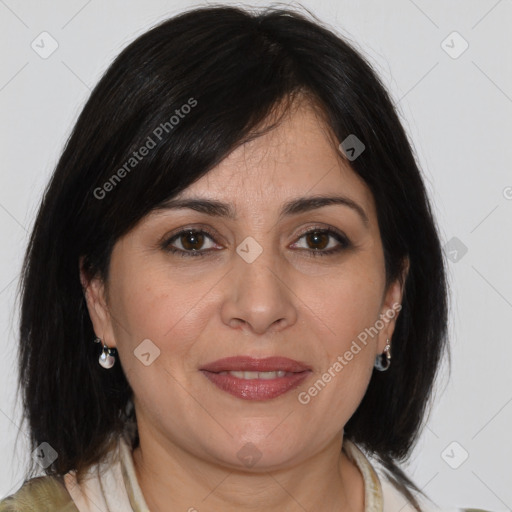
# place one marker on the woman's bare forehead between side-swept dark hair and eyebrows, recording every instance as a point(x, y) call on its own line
point(297, 158)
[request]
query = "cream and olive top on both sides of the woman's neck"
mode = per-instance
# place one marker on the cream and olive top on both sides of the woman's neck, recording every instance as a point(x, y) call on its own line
point(112, 486)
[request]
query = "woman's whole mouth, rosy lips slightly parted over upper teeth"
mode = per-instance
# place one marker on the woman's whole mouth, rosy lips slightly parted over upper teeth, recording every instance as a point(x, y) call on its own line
point(256, 379)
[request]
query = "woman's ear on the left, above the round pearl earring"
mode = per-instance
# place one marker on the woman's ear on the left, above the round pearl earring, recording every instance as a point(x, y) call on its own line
point(95, 296)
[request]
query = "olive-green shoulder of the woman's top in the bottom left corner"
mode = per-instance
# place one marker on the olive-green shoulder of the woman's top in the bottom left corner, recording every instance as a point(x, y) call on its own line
point(40, 494)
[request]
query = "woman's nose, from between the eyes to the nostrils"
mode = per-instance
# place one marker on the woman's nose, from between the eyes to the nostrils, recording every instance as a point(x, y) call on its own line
point(258, 296)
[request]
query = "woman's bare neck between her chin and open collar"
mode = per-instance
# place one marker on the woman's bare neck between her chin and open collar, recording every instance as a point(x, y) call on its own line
point(172, 479)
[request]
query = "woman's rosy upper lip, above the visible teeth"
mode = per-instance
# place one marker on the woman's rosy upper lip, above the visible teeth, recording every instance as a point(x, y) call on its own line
point(248, 363)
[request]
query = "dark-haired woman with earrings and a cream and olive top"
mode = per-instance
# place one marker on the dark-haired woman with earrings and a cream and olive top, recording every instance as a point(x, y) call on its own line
point(234, 295)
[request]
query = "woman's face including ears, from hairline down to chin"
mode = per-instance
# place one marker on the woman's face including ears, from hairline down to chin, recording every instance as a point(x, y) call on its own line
point(253, 284)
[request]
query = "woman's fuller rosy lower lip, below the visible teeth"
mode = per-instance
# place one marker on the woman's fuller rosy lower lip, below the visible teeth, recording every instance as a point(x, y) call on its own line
point(256, 389)
